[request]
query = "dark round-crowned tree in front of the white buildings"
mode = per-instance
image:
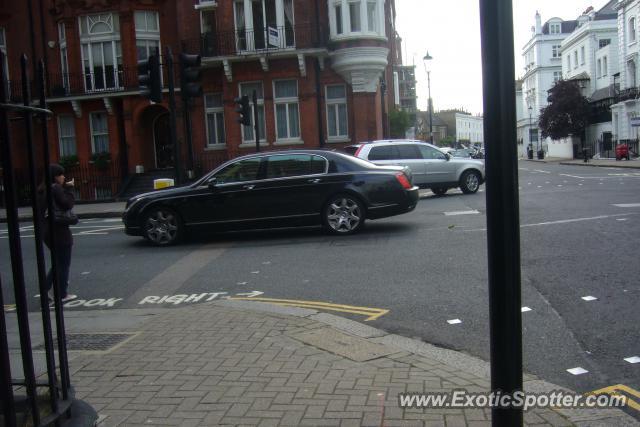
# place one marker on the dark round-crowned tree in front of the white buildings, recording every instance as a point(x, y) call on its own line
point(567, 112)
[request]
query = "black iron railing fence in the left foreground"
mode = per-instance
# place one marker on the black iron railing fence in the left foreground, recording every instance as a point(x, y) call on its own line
point(30, 393)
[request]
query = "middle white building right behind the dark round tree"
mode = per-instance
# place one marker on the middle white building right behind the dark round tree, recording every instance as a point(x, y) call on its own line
point(590, 56)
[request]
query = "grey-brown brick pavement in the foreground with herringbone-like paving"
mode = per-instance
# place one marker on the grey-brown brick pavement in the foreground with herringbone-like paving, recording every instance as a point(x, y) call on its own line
point(239, 364)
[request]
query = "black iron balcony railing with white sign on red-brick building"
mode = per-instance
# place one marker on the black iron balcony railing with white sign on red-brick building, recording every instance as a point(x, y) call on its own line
point(271, 39)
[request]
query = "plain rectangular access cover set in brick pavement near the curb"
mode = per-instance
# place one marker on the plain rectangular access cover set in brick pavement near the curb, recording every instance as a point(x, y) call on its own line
point(354, 348)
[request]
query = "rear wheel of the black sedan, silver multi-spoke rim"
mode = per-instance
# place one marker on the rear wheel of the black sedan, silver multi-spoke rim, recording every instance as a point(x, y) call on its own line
point(343, 214)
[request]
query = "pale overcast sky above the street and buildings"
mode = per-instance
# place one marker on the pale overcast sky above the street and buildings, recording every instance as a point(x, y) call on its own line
point(450, 31)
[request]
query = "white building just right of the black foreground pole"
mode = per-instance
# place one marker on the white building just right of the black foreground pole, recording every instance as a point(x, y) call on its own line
point(543, 67)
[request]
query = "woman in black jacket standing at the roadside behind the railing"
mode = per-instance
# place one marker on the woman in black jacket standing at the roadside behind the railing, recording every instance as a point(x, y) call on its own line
point(64, 200)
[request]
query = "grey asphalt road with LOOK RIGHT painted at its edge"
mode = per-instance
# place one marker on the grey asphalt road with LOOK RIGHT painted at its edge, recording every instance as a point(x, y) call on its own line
point(579, 234)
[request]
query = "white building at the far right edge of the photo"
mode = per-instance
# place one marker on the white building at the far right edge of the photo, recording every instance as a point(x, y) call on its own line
point(628, 104)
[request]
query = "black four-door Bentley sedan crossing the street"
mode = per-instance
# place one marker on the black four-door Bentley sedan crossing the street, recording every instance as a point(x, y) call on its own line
point(275, 189)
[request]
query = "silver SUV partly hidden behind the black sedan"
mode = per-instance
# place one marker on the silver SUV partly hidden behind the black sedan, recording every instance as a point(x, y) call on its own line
point(431, 168)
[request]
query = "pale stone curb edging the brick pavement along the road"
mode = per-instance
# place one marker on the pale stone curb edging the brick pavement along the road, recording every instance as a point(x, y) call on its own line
point(455, 359)
